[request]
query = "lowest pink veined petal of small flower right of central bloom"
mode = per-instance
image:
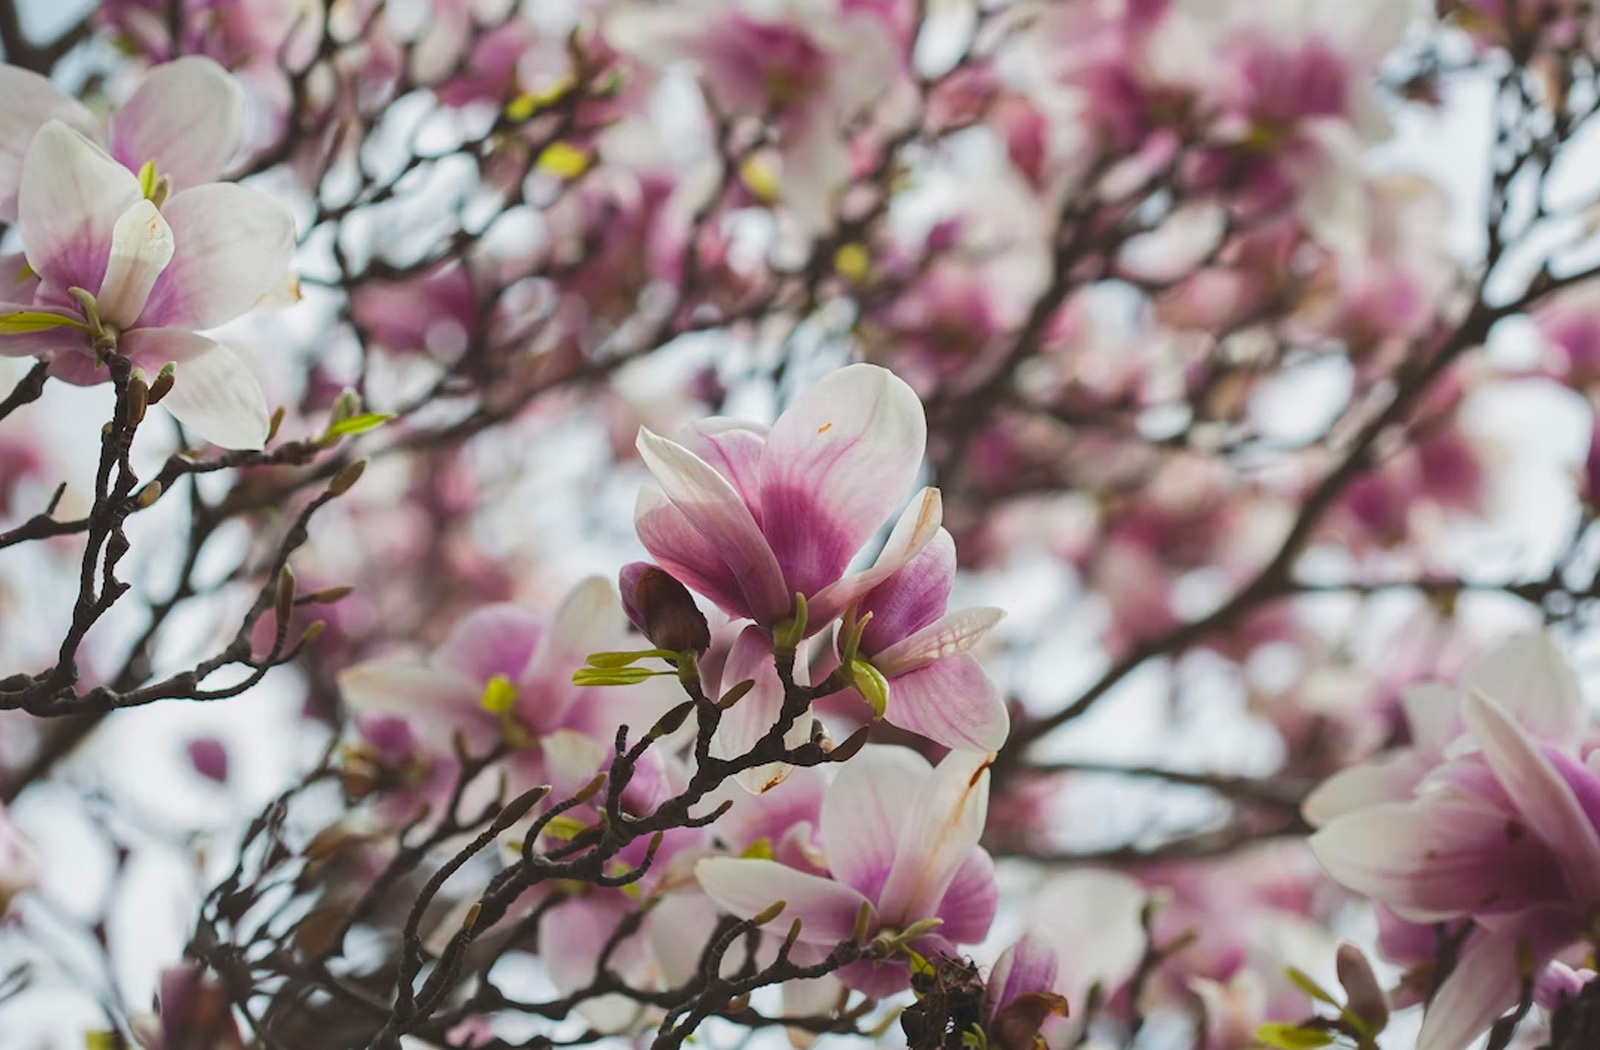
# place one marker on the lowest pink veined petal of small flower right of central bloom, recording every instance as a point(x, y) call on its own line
point(951, 702)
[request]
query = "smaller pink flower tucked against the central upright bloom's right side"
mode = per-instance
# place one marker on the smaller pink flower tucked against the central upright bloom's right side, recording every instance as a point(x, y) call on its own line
point(934, 686)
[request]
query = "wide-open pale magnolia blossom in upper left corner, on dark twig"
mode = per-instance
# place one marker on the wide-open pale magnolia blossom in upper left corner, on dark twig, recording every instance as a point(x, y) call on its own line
point(142, 263)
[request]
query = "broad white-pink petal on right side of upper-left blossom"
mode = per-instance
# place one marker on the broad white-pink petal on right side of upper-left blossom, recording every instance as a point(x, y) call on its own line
point(234, 250)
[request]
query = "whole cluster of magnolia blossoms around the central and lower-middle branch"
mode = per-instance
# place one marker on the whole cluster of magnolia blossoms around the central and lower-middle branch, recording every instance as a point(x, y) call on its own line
point(764, 524)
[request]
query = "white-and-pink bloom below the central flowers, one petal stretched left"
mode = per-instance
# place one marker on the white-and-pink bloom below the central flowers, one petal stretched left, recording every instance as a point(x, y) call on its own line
point(902, 843)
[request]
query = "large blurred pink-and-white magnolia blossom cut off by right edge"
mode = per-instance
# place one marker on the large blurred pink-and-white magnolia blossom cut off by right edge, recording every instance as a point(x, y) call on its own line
point(1500, 830)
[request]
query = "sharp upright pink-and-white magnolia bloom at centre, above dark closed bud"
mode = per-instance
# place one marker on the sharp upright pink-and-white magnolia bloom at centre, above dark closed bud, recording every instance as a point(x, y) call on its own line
point(750, 518)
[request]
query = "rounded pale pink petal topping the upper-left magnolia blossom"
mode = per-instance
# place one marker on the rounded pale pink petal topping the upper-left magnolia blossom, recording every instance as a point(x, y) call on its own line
point(188, 118)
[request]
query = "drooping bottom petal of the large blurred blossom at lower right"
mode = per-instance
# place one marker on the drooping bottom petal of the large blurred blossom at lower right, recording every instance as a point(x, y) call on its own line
point(1487, 980)
